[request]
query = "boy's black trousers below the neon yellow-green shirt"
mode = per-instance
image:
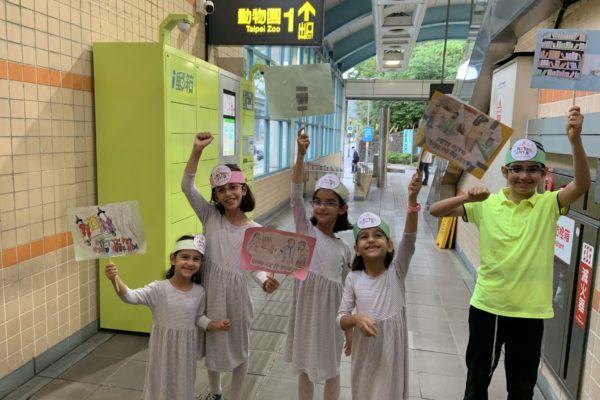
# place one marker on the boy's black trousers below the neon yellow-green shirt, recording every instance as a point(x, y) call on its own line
point(522, 340)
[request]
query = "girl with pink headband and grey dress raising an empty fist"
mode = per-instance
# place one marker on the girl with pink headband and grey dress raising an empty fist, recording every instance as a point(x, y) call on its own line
point(227, 296)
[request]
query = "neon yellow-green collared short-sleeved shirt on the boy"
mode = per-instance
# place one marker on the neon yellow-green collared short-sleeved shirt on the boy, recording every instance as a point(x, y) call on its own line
point(516, 245)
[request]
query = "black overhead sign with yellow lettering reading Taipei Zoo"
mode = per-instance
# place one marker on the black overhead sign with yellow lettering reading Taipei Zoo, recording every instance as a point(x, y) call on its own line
point(267, 22)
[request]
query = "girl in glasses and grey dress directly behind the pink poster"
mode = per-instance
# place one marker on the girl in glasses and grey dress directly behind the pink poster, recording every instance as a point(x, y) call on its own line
point(314, 342)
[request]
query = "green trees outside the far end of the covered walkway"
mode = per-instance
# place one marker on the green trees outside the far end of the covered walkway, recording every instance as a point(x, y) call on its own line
point(425, 63)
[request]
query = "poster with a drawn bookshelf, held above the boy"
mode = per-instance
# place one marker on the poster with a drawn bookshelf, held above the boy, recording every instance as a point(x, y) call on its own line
point(567, 59)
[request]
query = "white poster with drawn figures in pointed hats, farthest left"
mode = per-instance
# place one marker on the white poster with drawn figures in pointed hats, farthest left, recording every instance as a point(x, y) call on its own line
point(107, 231)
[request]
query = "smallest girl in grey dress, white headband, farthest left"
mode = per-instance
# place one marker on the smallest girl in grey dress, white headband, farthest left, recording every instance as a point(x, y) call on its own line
point(177, 305)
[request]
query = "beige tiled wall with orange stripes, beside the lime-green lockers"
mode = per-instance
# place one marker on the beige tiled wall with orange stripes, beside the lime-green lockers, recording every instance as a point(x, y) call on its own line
point(47, 161)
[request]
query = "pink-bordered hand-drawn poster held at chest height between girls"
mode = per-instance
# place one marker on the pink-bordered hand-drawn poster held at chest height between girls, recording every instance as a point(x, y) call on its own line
point(273, 250)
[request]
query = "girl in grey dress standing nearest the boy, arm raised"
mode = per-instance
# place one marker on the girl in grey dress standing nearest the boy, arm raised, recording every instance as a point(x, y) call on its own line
point(376, 289)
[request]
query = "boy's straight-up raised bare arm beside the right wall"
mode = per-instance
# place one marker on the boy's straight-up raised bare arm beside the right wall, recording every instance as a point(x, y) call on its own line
point(581, 170)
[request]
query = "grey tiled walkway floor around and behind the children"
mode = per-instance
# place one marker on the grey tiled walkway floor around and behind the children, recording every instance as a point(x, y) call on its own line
point(111, 364)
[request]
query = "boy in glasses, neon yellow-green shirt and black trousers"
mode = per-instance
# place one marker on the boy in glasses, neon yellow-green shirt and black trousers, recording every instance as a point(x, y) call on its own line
point(513, 292)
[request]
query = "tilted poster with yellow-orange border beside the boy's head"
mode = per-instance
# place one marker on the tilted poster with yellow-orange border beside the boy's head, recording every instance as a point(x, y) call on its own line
point(461, 134)
